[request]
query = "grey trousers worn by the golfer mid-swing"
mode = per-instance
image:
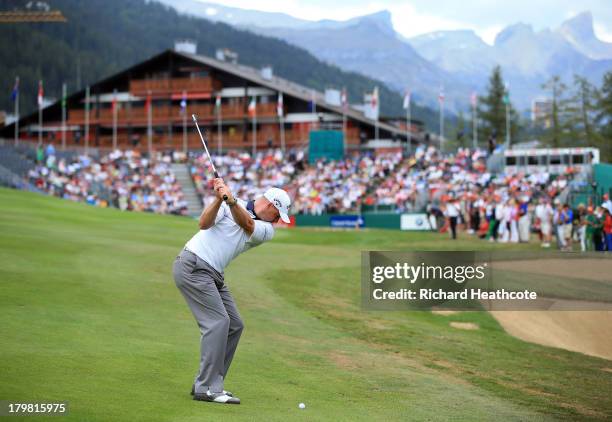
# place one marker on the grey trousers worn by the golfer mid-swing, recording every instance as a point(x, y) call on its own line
point(215, 312)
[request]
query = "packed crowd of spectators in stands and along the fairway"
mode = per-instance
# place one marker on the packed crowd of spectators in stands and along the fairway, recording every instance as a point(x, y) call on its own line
point(456, 191)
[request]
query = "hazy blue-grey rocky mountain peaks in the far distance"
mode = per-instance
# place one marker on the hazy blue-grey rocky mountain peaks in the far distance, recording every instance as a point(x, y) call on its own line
point(459, 61)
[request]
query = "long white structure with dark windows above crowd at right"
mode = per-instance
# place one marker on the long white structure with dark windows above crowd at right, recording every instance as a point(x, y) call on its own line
point(551, 160)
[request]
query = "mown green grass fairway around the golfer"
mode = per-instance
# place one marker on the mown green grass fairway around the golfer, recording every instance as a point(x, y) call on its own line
point(91, 315)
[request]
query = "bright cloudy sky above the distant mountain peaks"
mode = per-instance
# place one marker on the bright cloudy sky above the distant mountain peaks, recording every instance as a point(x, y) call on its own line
point(415, 17)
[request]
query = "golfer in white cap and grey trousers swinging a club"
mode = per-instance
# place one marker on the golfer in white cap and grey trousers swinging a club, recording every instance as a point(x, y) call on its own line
point(227, 228)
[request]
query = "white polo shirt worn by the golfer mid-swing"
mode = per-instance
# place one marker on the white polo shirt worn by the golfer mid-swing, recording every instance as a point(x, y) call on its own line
point(225, 240)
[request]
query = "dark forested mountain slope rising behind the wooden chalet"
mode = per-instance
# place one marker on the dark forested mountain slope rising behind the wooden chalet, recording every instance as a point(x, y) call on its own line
point(102, 37)
